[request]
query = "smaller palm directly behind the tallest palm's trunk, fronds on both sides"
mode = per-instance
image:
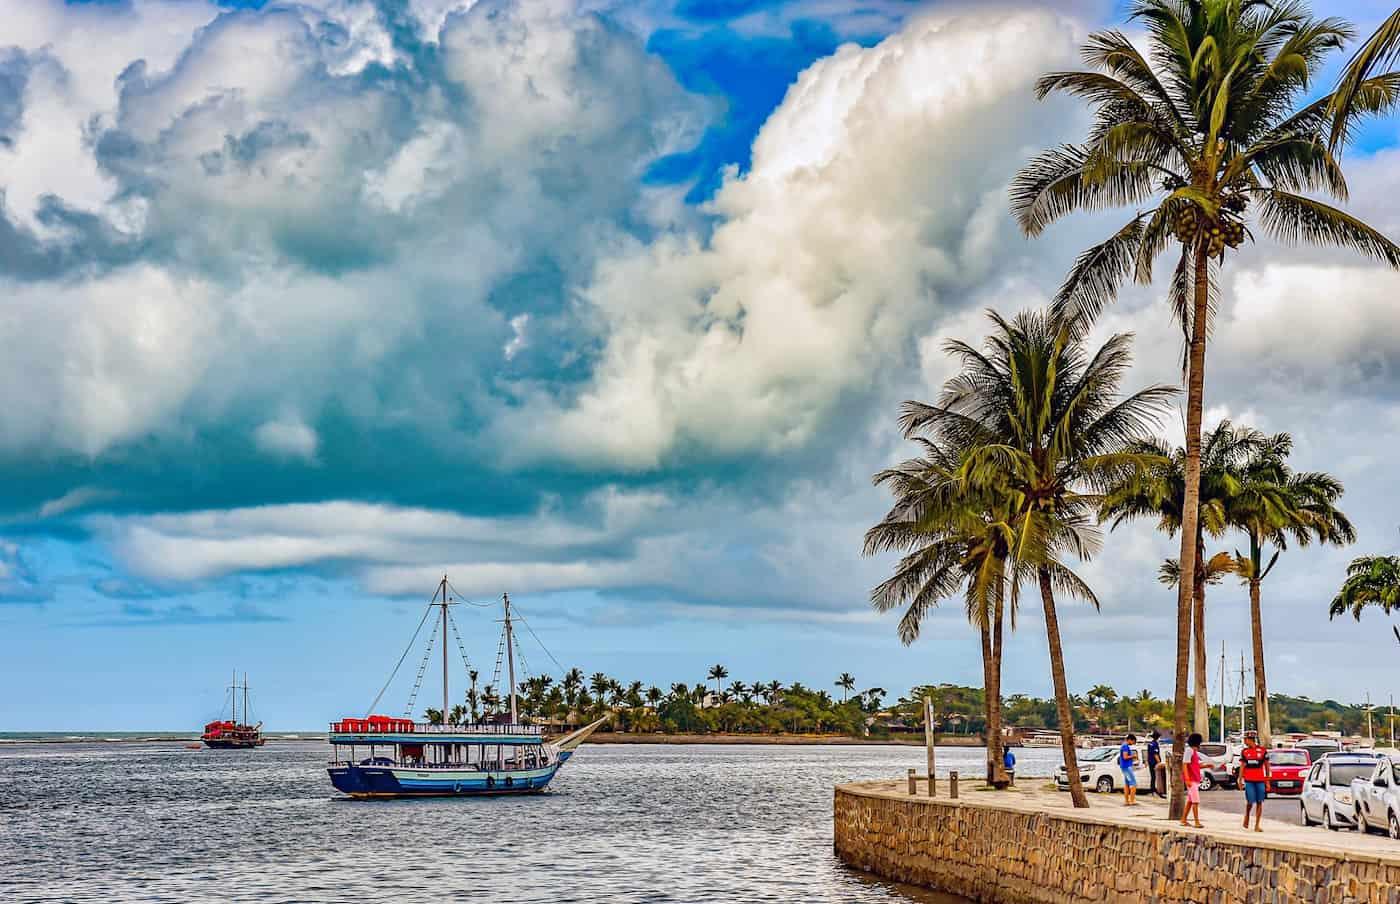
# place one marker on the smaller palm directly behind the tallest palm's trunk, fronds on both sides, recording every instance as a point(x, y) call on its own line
point(1160, 493)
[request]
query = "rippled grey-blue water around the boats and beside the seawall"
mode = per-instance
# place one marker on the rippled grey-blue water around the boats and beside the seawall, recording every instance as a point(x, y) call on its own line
point(139, 822)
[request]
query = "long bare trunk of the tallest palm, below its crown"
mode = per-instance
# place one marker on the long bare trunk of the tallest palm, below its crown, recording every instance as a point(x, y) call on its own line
point(1191, 518)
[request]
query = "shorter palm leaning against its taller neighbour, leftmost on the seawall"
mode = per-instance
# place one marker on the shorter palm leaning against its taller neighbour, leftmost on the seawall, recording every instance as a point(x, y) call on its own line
point(954, 537)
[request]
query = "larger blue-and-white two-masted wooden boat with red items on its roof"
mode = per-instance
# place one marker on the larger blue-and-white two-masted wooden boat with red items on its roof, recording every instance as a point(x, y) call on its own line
point(397, 758)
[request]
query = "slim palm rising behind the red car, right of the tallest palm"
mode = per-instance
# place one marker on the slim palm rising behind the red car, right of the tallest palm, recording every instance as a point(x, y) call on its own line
point(1273, 506)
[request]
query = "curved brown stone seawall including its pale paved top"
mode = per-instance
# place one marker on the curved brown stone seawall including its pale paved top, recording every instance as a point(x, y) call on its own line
point(1024, 853)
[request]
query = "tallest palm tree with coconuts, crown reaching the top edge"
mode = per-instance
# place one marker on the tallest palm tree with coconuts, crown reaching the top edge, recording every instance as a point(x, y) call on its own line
point(1193, 139)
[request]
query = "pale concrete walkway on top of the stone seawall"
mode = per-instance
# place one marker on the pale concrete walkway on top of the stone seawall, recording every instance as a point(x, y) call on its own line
point(1039, 796)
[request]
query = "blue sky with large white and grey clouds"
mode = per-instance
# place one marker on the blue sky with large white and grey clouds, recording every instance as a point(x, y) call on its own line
point(605, 304)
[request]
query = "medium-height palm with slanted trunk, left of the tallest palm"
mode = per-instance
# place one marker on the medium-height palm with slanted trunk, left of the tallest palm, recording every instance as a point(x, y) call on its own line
point(1045, 426)
